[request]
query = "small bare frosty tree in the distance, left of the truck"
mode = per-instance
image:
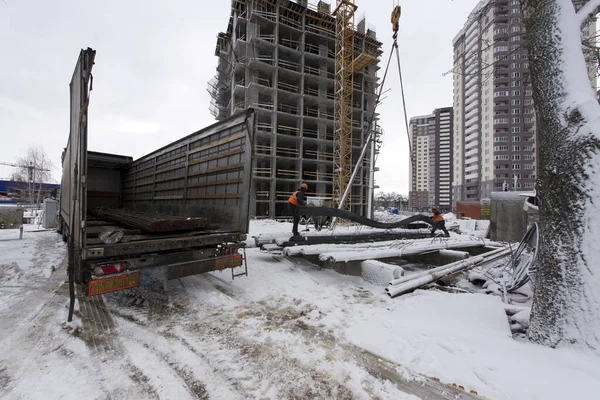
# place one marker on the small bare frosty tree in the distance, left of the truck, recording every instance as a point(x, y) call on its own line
point(36, 166)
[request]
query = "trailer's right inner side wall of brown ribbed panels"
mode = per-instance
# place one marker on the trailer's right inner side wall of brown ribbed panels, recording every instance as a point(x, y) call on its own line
point(206, 174)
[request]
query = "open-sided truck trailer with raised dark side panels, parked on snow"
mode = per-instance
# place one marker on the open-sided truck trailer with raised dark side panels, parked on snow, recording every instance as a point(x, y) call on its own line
point(206, 174)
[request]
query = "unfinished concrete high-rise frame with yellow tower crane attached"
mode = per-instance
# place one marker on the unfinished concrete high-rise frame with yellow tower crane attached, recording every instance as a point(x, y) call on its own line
point(312, 79)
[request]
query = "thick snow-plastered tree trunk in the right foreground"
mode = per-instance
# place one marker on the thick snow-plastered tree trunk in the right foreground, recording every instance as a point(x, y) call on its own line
point(566, 307)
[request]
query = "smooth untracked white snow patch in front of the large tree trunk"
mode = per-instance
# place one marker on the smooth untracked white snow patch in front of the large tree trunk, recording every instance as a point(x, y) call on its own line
point(466, 339)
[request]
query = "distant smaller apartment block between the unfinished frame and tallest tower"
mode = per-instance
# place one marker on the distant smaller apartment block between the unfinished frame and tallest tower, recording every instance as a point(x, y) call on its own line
point(431, 164)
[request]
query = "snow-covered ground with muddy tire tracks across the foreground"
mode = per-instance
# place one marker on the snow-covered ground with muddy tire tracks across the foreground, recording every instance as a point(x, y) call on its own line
point(290, 330)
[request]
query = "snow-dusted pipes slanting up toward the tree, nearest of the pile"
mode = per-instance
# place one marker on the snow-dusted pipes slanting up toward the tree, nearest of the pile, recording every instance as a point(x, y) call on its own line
point(409, 283)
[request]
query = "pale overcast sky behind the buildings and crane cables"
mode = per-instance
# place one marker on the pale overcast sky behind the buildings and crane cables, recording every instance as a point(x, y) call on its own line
point(153, 62)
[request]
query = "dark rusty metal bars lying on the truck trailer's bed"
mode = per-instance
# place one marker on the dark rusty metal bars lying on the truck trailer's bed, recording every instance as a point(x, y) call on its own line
point(152, 223)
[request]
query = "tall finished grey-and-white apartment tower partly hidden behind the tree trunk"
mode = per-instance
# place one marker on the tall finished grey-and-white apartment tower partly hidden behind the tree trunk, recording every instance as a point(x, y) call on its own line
point(494, 143)
